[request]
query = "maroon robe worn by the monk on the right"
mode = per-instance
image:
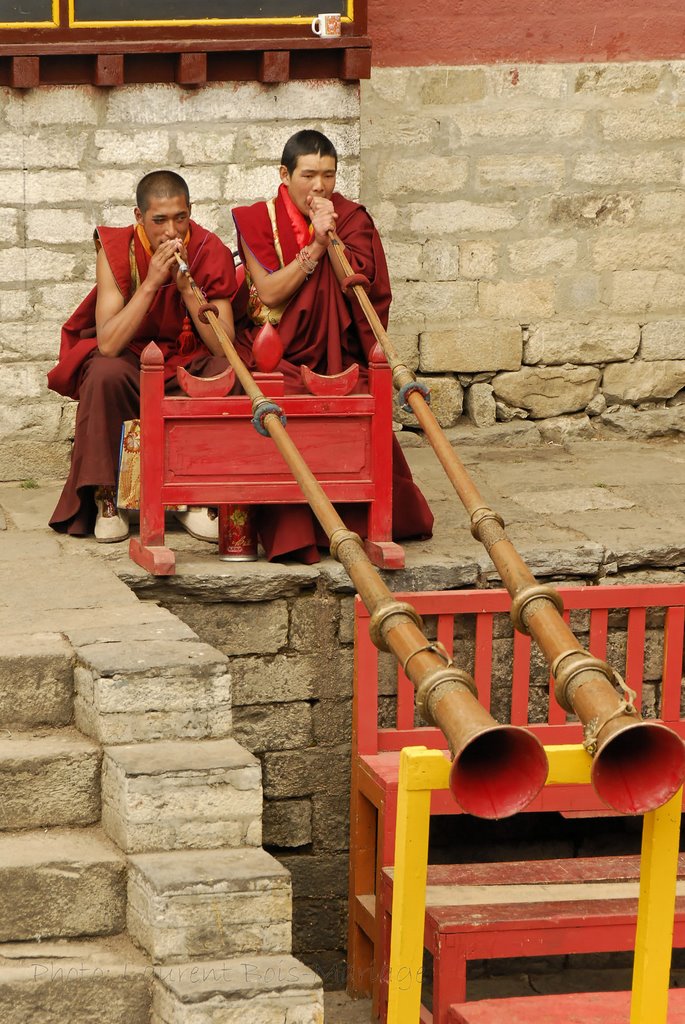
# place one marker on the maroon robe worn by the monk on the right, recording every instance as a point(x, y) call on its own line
point(323, 330)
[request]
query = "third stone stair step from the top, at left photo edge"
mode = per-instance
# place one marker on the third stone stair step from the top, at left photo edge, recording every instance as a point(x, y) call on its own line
point(61, 883)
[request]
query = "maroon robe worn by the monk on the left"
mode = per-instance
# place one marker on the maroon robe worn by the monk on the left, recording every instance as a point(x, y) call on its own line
point(108, 389)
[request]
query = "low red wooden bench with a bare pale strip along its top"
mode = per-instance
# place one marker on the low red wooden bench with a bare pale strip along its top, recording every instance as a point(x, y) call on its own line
point(523, 909)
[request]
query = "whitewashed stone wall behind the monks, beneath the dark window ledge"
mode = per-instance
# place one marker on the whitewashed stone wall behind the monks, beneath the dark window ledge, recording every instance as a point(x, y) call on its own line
point(70, 159)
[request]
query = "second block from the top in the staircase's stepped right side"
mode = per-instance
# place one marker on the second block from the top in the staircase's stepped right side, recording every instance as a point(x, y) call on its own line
point(182, 795)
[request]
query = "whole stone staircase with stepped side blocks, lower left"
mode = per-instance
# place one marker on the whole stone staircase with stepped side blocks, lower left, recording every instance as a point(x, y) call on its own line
point(134, 886)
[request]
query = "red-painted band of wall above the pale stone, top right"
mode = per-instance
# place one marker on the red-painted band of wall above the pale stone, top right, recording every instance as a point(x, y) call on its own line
point(415, 33)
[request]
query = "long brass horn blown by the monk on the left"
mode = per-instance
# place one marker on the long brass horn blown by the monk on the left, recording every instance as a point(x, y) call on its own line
point(497, 771)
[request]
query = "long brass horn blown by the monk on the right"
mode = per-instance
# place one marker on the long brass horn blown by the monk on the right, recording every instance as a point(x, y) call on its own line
point(637, 765)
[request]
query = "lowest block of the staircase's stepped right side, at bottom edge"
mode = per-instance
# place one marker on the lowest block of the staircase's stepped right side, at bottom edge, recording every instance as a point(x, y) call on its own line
point(265, 990)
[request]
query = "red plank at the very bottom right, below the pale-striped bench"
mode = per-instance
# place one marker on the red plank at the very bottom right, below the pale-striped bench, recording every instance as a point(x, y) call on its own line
point(578, 1008)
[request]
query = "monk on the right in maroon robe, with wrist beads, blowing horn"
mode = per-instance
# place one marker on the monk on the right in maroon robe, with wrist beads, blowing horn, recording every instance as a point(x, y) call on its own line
point(284, 244)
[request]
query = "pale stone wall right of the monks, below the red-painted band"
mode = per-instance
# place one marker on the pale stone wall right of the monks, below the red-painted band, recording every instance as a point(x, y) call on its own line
point(535, 223)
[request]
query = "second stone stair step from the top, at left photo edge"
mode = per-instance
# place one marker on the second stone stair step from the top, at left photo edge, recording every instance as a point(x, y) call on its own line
point(51, 779)
